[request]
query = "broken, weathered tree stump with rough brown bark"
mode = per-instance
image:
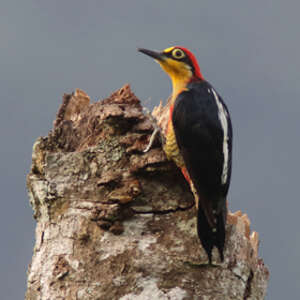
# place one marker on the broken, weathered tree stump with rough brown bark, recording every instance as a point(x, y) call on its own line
point(116, 223)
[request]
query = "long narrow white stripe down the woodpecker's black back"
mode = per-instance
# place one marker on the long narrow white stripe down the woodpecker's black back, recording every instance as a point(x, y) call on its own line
point(222, 114)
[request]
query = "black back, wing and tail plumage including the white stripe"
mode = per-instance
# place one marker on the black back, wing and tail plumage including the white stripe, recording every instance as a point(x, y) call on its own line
point(201, 121)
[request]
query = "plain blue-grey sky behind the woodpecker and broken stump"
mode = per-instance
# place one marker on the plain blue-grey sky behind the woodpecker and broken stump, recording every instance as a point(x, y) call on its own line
point(249, 51)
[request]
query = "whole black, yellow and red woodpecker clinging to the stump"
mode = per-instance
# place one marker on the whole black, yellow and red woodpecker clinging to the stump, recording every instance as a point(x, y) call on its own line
point(199, 140)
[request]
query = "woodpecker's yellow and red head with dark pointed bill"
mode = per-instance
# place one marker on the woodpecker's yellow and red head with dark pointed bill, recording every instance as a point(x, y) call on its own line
point(178, 62)
